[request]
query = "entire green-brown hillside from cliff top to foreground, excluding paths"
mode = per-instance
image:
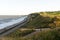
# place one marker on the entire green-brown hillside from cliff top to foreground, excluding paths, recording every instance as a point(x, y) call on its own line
point(39, 20)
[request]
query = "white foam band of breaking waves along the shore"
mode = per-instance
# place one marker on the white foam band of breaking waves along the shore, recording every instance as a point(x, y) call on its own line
point(11, 22)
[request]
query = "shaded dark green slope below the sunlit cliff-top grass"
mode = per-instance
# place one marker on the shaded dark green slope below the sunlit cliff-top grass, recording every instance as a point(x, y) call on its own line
point(40, 22)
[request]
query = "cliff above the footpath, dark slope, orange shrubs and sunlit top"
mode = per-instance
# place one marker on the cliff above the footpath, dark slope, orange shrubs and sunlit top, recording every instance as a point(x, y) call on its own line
point(44, 20)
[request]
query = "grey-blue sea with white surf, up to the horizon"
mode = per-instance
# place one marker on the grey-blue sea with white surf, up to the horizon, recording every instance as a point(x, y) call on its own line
point(6, 20)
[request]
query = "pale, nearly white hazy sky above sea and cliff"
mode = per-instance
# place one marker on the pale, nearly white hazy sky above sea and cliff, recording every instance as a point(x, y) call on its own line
point(22, 7)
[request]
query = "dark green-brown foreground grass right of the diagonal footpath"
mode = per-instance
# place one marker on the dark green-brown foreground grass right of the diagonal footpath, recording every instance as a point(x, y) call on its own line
point(45, 35)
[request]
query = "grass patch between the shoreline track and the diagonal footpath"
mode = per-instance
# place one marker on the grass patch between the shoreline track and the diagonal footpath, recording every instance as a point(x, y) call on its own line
point(17, 35)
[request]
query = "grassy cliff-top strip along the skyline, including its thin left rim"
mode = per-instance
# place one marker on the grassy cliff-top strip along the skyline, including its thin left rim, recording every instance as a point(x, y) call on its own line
point(48, 13)
